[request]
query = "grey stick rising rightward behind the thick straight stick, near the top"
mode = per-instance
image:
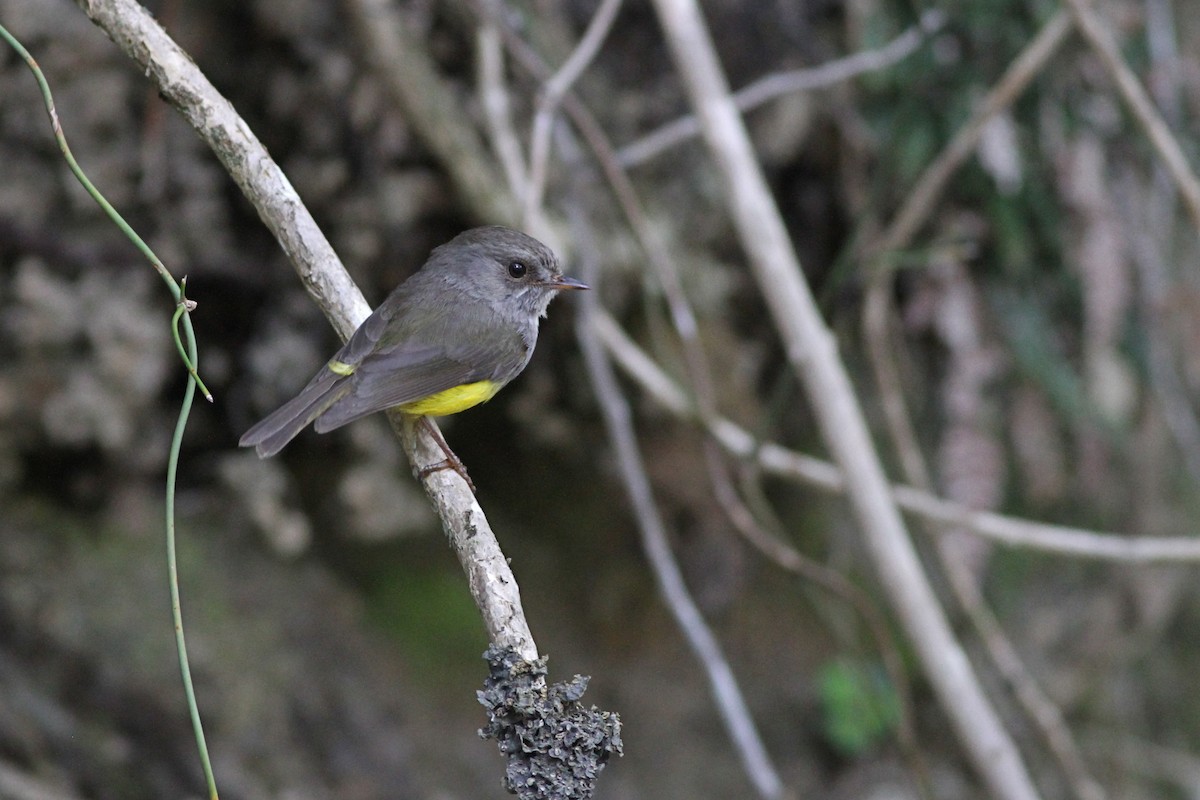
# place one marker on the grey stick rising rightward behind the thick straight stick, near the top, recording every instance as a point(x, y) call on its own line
point(772, 87)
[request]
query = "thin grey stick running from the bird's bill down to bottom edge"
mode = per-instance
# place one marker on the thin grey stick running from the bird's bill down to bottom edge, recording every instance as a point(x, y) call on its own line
point(700, 637)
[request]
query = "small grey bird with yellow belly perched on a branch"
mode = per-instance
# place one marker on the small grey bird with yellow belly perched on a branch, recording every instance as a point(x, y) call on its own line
point(446, 340)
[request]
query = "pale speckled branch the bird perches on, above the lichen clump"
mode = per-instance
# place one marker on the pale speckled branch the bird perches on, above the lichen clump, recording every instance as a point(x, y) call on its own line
point(181, 82)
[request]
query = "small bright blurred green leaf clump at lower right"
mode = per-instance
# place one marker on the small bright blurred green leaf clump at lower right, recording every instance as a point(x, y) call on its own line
point(860, 706)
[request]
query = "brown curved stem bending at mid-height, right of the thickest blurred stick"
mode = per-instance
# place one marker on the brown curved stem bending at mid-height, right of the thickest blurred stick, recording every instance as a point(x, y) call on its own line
point(878, 315)
